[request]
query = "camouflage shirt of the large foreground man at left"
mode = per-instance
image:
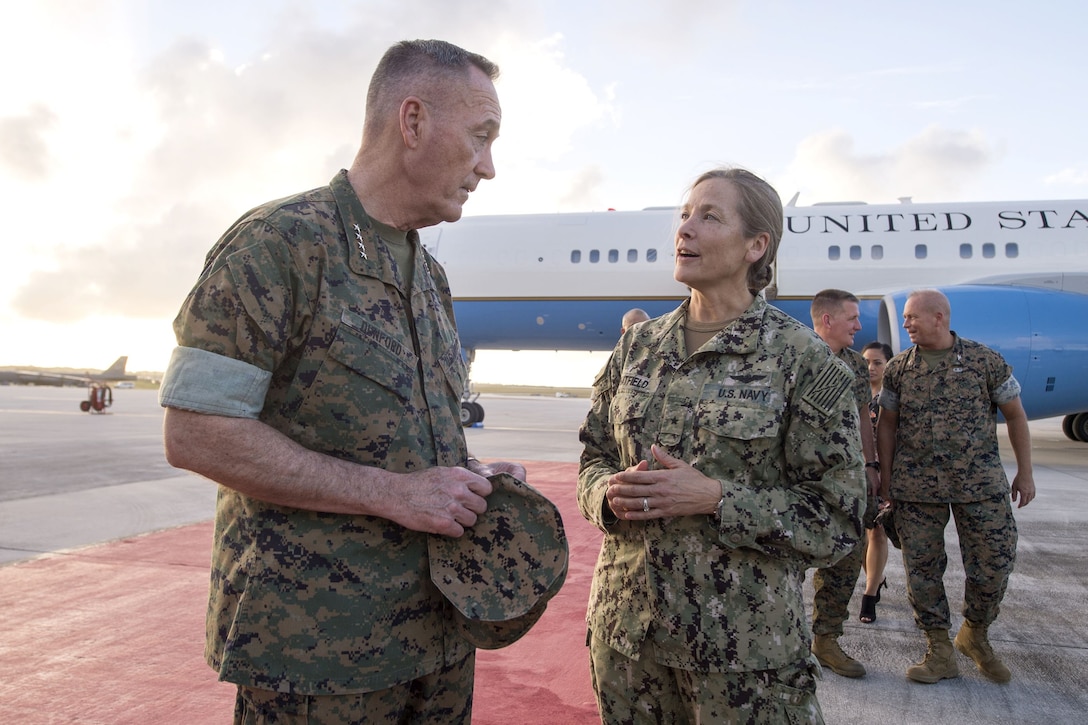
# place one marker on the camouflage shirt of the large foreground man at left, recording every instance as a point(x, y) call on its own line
point(302, 601)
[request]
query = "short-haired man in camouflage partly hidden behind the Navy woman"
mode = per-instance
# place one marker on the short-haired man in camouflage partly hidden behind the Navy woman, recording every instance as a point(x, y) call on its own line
point(836, 318)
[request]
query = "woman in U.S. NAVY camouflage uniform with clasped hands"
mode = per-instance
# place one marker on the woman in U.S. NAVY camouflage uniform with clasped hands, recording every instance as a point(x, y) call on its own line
point(722, 460)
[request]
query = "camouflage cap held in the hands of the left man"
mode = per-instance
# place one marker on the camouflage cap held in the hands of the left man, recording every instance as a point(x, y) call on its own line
point(501, 574)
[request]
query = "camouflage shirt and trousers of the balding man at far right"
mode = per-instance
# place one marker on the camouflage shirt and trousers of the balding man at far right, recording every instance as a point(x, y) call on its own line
point(947, 463)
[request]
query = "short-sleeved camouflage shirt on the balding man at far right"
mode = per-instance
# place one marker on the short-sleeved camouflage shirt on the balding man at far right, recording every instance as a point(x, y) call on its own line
point(947, 440)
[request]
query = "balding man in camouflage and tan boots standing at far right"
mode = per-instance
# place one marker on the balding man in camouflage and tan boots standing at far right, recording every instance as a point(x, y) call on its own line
point(938, 445)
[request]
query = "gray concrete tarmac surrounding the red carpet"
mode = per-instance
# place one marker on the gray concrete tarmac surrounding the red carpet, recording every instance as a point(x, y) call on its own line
point(71, 480)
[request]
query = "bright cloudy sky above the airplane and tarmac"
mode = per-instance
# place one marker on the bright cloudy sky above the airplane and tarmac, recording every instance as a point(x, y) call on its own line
point(134, 132)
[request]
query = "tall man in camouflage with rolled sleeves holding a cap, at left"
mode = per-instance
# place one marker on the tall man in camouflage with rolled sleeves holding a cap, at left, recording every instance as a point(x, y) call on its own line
point(318, 380)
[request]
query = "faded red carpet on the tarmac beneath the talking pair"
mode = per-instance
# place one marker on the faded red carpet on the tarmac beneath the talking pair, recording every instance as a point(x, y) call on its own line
point(115, 635)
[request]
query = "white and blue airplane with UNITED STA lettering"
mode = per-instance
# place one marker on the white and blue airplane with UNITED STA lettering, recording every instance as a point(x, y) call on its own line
point(1016, 273)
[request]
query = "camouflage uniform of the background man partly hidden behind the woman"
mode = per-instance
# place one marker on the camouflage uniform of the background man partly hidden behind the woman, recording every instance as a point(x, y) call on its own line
point(834, 585)
